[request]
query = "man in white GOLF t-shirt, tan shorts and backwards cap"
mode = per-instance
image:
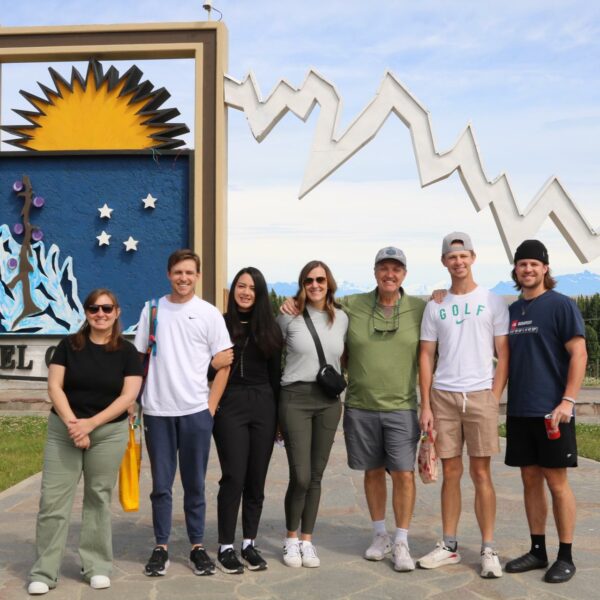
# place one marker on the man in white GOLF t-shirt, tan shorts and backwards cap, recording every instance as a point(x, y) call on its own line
point(461, 399)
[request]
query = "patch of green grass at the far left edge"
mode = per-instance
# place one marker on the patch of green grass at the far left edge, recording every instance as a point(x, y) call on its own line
point(22, 442)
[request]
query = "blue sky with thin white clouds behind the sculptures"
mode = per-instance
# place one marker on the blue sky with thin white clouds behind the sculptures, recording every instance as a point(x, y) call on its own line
point(523, 73)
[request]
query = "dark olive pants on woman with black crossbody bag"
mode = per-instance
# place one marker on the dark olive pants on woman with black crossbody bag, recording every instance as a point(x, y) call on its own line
point(308, 420)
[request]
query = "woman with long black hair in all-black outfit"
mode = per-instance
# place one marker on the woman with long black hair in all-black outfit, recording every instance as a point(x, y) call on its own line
point(246, 420)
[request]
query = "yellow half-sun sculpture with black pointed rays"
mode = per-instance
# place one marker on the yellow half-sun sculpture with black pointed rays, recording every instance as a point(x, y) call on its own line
point(100, 112)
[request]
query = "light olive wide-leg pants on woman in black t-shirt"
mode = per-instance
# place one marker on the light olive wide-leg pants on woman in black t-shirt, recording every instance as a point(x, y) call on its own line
point(63, 466)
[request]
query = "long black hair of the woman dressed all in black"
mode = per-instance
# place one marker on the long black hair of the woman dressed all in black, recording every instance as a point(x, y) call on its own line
point(263, 326)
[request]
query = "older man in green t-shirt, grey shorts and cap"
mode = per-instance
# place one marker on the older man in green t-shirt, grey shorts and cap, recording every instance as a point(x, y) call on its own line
point(380, 417)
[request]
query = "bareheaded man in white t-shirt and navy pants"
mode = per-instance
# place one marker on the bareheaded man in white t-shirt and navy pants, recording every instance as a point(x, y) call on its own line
point(179, 407)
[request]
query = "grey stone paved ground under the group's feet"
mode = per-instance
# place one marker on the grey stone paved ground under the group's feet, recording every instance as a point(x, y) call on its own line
point(341, 535)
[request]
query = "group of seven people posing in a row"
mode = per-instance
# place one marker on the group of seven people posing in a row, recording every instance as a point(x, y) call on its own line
point(465, 345)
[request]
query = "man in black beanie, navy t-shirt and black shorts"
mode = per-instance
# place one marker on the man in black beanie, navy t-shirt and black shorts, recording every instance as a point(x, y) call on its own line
point(547, 366)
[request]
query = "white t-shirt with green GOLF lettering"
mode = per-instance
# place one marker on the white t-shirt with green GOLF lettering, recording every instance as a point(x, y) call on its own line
point(464, 326)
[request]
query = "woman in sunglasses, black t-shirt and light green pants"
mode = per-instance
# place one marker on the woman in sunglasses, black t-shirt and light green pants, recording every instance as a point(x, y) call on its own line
point(93, 378)
